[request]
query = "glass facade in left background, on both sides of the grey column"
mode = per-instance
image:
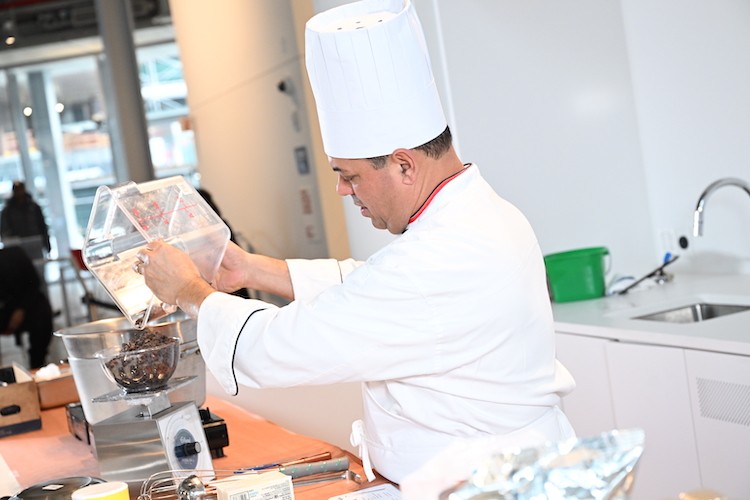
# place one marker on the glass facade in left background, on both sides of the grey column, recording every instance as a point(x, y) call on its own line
point(55, 137)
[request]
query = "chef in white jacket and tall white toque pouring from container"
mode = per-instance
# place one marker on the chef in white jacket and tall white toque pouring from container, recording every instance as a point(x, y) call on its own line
point(449, 327)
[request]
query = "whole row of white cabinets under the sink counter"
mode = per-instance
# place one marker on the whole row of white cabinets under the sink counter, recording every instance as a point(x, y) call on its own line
point(693, 405)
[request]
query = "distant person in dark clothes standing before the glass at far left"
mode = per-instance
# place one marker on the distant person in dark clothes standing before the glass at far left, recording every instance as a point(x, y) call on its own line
point(22, 217)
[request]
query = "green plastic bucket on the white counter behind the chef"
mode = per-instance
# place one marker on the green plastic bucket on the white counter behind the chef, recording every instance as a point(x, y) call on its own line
point(576, 274)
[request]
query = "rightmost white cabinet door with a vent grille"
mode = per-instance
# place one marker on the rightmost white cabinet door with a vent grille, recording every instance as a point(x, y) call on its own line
point(720, 394)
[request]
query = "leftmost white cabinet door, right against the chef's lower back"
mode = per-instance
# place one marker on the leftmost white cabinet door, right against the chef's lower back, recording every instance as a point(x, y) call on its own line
point(589, 406)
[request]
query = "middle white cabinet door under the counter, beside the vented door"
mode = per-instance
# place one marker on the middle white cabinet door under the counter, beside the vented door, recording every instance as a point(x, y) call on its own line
point(650, 391)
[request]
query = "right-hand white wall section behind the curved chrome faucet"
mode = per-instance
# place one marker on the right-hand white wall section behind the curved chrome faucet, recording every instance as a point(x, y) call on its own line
point(691, 80)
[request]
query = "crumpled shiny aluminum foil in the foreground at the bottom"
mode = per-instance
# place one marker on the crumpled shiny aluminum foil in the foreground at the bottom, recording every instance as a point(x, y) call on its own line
point(599, 467)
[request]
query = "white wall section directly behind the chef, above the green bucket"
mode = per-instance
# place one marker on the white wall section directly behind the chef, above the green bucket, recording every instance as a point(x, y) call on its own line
point(543, 103)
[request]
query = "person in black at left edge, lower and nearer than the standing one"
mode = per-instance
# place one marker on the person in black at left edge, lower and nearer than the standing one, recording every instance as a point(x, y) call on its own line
point(23, 305)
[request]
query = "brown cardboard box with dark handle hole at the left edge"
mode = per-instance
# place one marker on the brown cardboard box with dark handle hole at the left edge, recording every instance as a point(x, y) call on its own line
point(19, 401)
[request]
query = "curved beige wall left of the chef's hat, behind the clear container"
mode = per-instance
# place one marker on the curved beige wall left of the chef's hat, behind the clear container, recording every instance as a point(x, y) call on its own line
point(246, 130)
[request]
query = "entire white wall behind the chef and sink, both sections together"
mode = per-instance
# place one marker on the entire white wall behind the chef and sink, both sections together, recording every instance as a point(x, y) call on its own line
point(602, 121)
